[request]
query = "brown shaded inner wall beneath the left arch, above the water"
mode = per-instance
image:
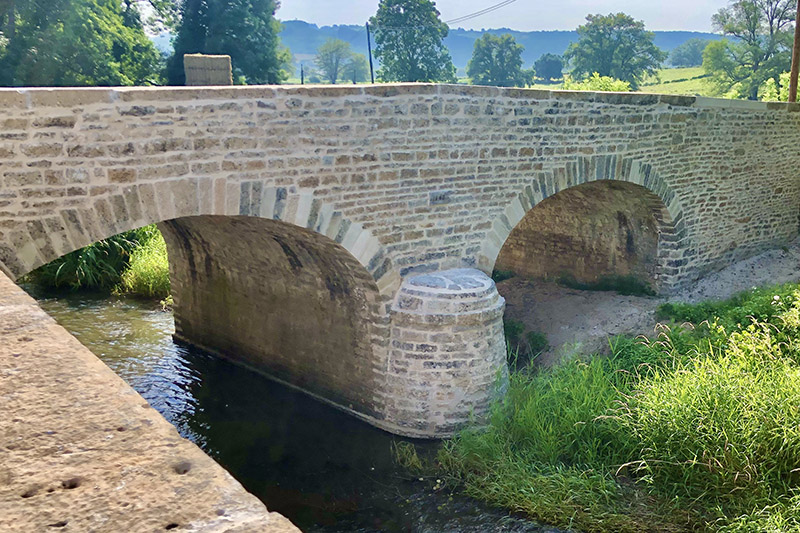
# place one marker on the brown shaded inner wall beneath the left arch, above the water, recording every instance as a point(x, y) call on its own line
point(281, 299)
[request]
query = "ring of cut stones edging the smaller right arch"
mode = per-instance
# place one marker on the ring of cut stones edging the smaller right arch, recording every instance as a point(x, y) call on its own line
point(640, 179)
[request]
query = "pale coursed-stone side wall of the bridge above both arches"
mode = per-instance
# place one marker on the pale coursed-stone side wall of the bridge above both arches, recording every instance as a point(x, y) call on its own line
point(437, 175)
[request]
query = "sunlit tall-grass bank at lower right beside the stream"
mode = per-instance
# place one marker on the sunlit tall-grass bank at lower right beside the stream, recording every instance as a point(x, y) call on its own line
point(697, 429)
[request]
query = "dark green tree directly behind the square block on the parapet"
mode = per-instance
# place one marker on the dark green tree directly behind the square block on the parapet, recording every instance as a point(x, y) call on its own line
point(246, 30)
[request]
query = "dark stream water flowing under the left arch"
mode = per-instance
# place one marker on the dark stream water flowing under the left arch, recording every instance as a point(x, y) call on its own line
point(324, 470)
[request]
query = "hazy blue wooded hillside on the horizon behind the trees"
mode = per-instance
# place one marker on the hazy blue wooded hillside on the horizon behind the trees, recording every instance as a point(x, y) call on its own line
point(303, 39)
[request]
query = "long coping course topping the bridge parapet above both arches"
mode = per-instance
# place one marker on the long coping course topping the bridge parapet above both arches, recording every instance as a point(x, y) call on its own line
point(27, 97)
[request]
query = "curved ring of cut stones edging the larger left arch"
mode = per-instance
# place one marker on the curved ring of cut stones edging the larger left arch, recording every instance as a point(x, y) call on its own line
point(48, 238)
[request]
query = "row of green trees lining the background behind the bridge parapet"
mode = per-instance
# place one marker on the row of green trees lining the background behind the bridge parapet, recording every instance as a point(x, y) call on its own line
point(104, 42)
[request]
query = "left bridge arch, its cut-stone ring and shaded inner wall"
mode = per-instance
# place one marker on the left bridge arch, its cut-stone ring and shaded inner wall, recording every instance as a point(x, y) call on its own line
point(270, 277)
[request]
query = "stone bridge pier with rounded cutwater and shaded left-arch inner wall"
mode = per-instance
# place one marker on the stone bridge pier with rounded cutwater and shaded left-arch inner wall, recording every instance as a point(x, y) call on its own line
point(298, 306)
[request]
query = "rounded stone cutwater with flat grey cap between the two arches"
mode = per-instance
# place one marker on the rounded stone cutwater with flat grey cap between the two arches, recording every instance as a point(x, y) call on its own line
point(448, 351)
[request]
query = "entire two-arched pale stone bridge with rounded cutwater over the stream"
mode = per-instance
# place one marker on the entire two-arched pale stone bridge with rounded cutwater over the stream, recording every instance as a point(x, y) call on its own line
point(339, 238)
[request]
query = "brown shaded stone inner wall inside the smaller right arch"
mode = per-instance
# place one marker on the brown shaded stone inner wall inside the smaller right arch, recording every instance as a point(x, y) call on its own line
point(588, 232)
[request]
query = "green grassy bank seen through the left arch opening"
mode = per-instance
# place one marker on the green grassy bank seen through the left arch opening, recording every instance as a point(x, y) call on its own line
point(133, 263)
